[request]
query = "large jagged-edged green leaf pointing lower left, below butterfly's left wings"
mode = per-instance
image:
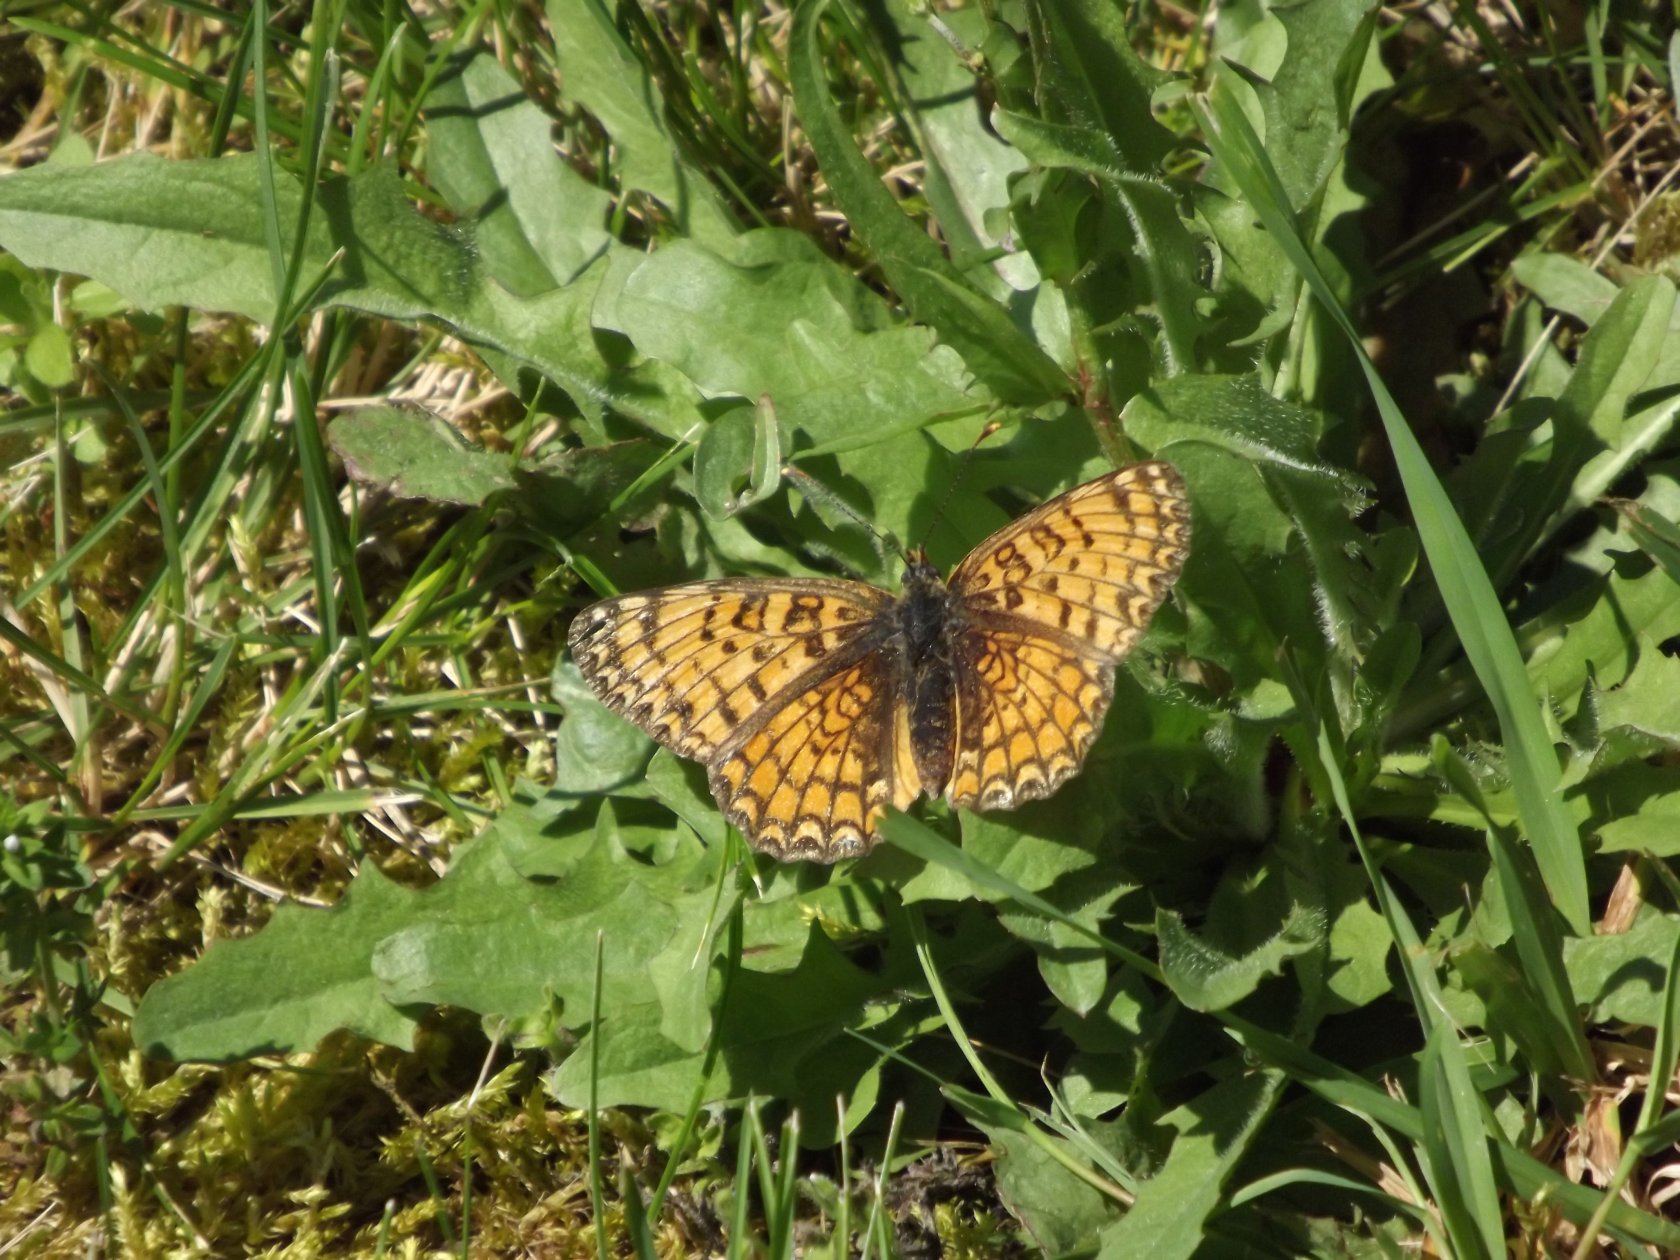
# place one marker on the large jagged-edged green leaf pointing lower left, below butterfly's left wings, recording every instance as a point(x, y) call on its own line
point(486, 937)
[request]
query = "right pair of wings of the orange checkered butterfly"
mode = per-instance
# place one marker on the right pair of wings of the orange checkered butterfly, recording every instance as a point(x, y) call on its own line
point(1053, 604)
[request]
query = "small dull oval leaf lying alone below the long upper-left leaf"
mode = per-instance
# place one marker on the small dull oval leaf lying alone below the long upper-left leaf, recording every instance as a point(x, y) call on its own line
point(416, 456)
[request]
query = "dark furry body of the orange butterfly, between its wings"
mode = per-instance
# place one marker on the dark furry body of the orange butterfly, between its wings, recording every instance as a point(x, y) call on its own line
point(928, 616)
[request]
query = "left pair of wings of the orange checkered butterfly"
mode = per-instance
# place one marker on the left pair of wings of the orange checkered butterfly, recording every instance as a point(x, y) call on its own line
point(780, 688)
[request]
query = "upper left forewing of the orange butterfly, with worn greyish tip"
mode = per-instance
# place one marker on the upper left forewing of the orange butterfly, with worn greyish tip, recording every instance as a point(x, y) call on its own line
point(695, 664)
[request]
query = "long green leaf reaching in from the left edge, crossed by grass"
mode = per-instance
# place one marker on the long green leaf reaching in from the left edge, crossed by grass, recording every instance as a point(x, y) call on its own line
point(182, 233)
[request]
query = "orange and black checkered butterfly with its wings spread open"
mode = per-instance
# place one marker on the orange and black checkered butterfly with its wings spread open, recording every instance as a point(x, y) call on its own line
point(817, 703)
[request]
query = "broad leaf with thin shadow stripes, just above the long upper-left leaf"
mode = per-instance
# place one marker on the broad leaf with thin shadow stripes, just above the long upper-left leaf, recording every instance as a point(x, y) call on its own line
point(538, 223)
